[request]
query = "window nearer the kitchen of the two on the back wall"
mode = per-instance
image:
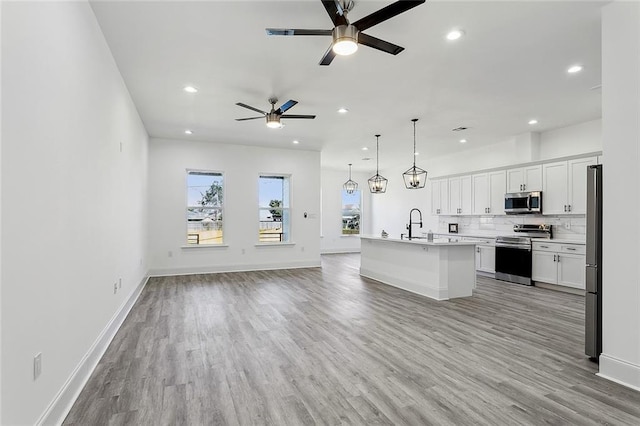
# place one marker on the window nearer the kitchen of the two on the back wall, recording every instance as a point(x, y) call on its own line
point(274, 209)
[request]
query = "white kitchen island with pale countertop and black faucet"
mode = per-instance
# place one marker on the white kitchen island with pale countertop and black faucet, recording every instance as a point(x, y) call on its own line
point(440, 269)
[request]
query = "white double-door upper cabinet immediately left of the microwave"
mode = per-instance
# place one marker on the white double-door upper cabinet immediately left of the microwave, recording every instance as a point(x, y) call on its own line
point(488, 193)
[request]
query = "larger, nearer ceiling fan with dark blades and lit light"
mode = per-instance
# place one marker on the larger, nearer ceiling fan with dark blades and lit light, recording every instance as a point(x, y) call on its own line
point(346, 35)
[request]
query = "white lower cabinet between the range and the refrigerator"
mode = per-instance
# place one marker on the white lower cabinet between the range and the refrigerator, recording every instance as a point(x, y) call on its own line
point(561, 264)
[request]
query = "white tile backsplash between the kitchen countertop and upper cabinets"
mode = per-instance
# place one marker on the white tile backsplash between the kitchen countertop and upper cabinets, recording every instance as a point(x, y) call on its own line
point(564, 227)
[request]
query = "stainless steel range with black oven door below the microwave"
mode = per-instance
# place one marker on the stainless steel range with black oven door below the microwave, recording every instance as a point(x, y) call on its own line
point(513, 253)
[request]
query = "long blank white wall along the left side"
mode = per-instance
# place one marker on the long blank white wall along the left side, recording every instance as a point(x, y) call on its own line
point(73, 205)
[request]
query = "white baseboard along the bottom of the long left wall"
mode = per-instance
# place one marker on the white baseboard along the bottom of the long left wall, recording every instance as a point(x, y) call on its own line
point(59, 408)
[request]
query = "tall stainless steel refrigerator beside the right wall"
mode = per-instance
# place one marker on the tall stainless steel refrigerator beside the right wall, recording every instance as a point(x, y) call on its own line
point(593, 305)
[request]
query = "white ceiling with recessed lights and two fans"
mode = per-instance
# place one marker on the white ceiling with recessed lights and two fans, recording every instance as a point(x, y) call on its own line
point(510, 67)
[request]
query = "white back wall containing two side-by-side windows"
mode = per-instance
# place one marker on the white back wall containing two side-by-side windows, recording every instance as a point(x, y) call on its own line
point(242, 165)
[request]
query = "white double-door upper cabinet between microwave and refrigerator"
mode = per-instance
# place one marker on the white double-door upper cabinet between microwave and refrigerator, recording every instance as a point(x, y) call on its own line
point(565, 186)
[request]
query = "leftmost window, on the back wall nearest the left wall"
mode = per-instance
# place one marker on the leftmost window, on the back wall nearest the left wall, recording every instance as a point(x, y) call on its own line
point(205, 196)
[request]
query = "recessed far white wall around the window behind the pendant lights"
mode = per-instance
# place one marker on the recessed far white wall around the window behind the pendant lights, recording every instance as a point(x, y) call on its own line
point(332, 240)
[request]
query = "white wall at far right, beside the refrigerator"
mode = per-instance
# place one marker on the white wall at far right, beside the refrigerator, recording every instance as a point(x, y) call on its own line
point(620, 360)
